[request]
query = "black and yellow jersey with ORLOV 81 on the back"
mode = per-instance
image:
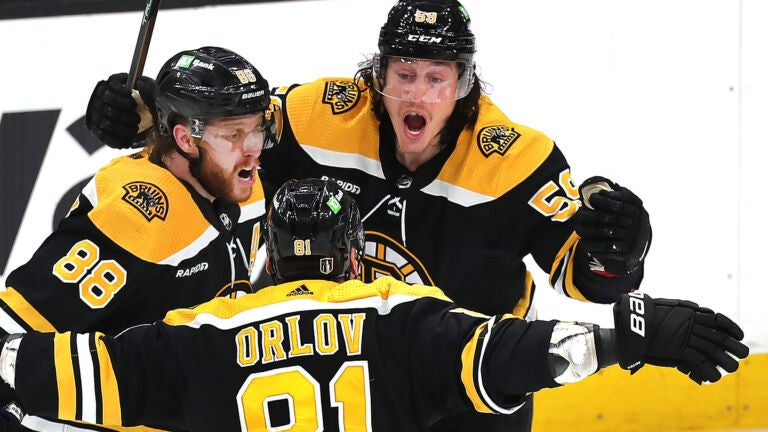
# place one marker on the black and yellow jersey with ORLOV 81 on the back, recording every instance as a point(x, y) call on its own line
point(307, 355)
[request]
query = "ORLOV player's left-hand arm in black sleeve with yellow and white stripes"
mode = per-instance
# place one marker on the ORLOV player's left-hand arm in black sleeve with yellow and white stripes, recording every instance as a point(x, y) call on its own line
point(130, 380)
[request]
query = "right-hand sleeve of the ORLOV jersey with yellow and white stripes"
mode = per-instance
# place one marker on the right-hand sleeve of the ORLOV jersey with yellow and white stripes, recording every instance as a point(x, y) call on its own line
point(460, 360)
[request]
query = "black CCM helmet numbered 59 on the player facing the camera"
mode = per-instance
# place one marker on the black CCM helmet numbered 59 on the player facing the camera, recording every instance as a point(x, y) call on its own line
point(428, 29)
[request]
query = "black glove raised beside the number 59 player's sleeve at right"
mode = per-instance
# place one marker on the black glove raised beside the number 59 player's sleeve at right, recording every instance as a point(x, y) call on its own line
point(614, 227)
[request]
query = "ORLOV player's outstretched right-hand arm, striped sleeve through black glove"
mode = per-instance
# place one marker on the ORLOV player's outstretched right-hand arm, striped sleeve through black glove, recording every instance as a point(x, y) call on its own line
point(496, 361)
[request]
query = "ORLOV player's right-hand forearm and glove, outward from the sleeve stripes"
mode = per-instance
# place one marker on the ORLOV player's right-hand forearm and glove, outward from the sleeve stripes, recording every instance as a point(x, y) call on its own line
point(700, 343)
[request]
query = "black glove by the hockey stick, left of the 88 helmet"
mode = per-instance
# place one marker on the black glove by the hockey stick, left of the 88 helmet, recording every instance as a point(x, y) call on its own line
point(116, 117)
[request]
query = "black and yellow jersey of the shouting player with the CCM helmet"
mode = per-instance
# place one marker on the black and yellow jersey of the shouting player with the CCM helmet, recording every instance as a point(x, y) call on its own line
point(464, 220)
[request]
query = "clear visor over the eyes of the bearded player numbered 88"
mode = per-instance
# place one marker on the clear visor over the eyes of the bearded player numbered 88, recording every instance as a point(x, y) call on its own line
point(232, 137)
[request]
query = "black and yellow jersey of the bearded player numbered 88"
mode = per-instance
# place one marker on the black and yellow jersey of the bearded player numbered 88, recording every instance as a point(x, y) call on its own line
point(137, 243)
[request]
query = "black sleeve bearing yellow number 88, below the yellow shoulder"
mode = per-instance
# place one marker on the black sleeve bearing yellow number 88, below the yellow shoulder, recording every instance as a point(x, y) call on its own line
point(74, 280)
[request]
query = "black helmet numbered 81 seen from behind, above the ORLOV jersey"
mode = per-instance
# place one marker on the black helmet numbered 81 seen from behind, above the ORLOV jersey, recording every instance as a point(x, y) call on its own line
point(311, 228)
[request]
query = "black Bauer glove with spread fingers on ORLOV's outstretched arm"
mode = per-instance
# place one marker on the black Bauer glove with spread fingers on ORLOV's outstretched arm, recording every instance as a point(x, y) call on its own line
point(676, 333)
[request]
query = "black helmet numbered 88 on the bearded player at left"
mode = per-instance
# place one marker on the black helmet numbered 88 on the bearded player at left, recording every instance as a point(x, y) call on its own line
point(209, 82)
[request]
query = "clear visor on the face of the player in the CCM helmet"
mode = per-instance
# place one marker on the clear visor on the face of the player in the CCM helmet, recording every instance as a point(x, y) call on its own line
point(422, 80)
